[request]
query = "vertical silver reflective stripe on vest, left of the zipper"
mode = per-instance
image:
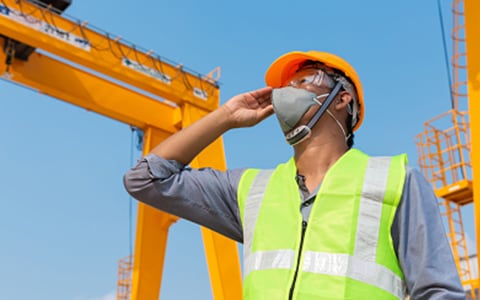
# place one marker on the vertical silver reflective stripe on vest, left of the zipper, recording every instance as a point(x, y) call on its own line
point(250, 215)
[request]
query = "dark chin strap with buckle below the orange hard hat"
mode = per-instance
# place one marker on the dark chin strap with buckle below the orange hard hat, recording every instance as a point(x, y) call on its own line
point(301, 133)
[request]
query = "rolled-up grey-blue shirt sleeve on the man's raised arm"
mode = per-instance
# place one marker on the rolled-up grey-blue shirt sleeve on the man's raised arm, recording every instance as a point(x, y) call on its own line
point(204, 196)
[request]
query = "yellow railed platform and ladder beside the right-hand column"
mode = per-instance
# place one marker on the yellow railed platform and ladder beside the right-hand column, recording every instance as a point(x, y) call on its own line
point(444, 158)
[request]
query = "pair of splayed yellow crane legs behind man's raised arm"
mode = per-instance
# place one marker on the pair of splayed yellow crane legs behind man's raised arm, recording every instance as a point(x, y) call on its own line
point(152, 230)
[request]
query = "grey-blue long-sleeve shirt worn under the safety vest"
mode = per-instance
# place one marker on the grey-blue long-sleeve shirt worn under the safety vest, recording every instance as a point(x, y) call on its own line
point(209, 197)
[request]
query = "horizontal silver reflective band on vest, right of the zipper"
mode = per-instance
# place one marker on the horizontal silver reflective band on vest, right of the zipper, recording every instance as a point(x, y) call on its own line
point(354, 268)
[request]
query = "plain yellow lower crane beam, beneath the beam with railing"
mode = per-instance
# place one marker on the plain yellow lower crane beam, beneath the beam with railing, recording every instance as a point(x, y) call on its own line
point(62, 81)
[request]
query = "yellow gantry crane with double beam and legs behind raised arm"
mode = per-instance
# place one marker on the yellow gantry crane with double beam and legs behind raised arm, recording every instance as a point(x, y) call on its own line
point(124, 71)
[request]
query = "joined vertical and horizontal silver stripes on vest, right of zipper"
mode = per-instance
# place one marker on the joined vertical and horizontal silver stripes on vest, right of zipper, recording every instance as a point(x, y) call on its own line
point(362, 265)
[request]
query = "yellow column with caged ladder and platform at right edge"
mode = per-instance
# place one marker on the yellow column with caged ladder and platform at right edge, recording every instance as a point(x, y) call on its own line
point(449, 146)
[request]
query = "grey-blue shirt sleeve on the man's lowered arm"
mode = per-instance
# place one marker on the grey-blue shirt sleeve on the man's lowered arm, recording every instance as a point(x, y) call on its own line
point(421, 243)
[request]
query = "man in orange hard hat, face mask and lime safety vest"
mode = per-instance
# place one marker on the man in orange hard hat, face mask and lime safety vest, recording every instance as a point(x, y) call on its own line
point(332, 222)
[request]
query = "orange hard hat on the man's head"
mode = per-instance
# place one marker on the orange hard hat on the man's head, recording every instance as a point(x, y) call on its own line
point(286, 65)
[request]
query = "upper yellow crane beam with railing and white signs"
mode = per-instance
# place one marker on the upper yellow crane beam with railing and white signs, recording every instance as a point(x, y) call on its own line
point(75, 41)
